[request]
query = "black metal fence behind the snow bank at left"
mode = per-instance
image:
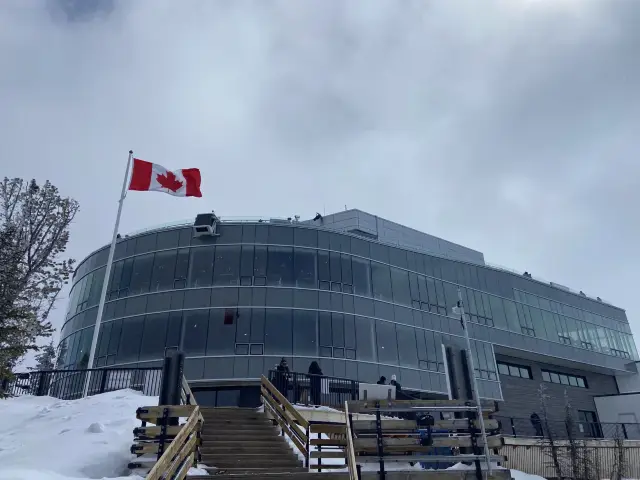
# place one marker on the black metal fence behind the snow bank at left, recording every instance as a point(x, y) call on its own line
point(69, 384)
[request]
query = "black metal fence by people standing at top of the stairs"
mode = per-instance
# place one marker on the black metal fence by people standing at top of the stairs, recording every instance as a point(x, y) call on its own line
point(305, 389)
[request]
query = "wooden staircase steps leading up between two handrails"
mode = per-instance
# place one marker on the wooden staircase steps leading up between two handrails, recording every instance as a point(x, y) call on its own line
point(244, 444)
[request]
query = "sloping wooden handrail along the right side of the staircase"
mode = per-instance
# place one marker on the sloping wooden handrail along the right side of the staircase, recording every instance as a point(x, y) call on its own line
point(286, 416)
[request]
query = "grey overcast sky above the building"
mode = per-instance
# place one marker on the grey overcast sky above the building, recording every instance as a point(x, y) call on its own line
point(510, 126)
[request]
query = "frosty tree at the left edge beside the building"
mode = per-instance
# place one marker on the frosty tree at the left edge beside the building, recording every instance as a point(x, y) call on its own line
point(34, 232)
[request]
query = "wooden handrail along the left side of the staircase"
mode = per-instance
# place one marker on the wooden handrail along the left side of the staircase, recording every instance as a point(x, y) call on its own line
point(181, 449)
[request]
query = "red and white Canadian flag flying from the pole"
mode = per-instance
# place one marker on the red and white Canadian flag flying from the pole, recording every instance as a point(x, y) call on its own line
point(151, 177)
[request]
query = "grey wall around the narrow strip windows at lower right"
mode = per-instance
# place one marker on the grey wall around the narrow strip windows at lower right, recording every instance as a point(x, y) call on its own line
point(522, 398)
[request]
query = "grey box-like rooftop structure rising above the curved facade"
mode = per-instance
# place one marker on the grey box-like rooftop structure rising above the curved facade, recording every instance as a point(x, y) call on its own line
point(359, 222)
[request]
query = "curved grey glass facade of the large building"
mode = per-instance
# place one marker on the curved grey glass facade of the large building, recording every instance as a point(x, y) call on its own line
point(238, 302)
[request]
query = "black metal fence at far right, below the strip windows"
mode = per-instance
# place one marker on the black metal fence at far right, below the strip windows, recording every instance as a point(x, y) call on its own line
point(524, 427)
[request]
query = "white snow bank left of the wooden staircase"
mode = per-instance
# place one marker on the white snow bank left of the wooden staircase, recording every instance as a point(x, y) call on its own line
point(44, 438)
